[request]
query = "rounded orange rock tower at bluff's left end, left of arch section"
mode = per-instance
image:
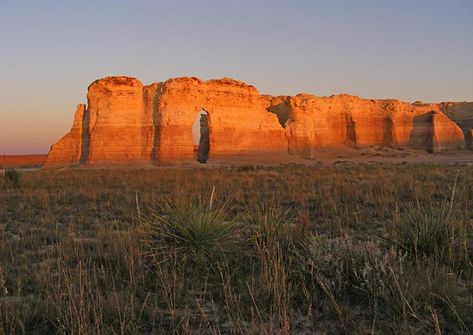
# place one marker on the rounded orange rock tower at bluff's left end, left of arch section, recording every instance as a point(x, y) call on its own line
point(120, 127)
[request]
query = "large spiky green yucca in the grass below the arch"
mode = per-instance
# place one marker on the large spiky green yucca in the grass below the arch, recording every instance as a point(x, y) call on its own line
point(192, 233)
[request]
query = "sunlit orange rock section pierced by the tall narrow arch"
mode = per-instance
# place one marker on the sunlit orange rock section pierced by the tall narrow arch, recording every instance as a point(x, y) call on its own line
point(238, 120)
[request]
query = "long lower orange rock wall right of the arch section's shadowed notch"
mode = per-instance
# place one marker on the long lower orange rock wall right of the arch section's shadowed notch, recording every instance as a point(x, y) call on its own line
point(343, 120)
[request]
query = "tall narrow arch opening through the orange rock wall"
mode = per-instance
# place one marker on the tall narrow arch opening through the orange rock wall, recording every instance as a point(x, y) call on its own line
point(201, 136)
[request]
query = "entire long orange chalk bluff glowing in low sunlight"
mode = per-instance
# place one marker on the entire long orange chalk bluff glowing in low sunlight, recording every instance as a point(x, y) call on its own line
point(127, 122)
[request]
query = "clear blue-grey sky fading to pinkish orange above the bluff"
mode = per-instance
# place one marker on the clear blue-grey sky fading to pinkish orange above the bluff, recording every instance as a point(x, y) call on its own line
point(50, 51)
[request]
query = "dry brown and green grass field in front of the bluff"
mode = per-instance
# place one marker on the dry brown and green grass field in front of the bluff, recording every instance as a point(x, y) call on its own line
point(358, 249)
